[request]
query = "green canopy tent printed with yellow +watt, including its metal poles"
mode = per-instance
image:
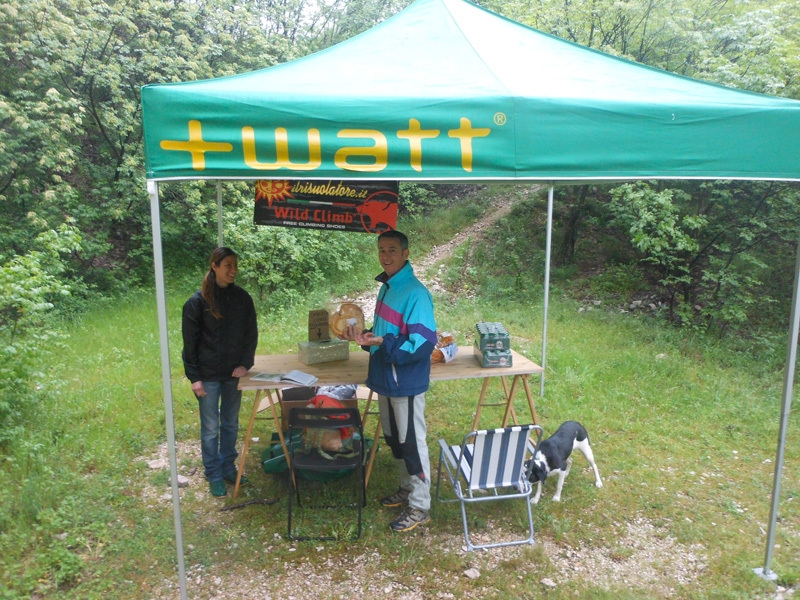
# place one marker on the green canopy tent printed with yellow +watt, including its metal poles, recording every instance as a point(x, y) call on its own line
point(447, 91)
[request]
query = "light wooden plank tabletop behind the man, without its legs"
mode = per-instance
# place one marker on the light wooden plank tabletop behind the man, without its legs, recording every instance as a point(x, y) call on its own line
point(354, 370)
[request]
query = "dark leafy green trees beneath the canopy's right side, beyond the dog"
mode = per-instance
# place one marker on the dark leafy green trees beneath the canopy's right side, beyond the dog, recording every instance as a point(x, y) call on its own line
point(721, 251)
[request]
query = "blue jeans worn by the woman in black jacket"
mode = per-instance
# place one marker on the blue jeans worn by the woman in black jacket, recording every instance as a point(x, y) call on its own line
point(219, 427)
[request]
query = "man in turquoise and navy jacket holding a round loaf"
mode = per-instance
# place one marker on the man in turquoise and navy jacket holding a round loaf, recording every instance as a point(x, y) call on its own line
point(400, 343)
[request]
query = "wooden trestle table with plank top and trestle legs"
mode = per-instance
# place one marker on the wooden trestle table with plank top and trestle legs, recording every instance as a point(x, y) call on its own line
point(354, 371)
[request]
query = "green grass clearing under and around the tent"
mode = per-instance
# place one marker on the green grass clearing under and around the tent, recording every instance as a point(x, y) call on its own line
point(684, 432)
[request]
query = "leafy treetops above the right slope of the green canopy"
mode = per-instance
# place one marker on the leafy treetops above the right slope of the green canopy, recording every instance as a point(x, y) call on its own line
point(753, 46)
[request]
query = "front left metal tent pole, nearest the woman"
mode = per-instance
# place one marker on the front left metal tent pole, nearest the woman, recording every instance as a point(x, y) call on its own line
point(166, 379)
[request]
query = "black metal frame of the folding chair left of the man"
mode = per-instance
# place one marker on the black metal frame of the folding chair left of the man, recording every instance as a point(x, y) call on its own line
point(313, 460)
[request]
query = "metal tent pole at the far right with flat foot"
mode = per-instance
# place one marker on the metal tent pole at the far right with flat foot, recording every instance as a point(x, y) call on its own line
point(788, 383)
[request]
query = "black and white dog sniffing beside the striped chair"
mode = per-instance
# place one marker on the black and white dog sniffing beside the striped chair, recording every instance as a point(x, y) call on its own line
point(552, 456)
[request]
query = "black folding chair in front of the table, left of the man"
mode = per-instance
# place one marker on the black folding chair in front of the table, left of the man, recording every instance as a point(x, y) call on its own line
point(319, 465)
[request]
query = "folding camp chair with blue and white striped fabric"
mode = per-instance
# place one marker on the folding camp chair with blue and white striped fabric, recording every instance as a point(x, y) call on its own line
point(492, 461)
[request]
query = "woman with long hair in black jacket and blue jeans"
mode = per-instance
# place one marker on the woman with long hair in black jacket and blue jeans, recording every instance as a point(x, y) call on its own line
point(220, 336)
